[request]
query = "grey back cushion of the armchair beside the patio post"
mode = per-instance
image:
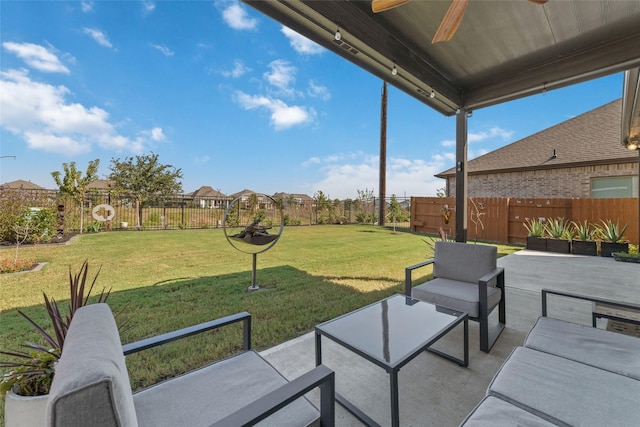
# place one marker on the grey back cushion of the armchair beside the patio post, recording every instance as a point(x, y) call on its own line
point(463, 261)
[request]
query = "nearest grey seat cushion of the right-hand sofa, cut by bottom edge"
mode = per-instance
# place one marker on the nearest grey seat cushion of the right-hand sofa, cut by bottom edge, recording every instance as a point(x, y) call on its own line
point(495, 412)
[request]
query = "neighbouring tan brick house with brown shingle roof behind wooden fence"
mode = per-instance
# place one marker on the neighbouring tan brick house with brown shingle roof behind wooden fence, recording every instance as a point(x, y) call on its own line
point(581, 157)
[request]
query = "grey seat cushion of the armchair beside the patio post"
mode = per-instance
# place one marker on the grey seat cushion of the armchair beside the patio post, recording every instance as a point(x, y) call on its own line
point(462, 296)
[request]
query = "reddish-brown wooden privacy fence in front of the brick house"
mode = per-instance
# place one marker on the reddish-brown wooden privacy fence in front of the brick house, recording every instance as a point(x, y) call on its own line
point(502, 219)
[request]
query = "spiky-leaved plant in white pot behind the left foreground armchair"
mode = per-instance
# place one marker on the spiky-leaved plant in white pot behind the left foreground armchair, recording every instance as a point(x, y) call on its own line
point(31, 370)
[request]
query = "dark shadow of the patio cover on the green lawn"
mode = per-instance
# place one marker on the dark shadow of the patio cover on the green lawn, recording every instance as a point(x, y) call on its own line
point(290, 303)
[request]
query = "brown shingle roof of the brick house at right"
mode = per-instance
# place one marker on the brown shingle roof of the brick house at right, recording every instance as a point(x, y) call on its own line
point(591, 138)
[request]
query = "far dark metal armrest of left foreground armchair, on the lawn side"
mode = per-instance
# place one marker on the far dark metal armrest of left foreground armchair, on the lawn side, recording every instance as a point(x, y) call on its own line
point(158, 340)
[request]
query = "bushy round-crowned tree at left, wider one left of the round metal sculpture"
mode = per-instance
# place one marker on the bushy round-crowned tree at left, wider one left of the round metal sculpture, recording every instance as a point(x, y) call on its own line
point(144, 177)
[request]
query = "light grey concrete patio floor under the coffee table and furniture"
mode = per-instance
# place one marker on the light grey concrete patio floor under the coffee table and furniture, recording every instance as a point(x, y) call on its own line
point(437, 392)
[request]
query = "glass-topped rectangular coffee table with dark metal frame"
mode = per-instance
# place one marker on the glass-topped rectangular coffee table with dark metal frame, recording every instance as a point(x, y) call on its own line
point(390, 333)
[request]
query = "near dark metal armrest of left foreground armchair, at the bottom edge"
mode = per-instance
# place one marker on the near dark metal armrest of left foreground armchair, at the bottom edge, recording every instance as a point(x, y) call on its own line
point(321, 377)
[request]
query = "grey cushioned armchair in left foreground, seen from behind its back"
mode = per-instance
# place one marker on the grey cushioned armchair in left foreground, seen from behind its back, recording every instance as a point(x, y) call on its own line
point(91, 386)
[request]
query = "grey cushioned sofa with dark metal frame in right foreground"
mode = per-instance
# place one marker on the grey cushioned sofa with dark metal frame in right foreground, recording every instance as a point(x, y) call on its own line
point(566, 374)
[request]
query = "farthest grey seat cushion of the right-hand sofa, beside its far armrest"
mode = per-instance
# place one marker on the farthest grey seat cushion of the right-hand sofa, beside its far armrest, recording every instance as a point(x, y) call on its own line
point(595, 347)
